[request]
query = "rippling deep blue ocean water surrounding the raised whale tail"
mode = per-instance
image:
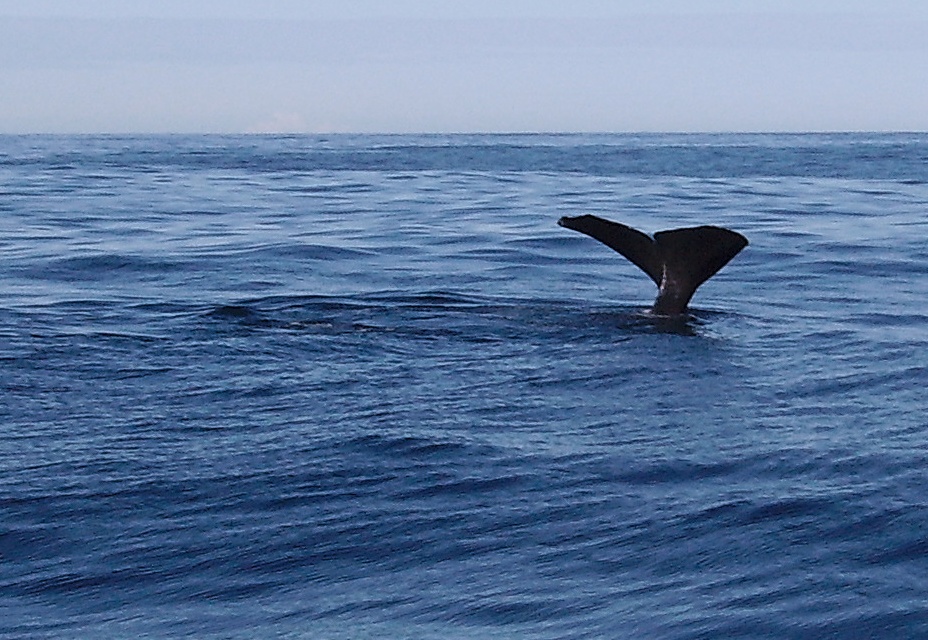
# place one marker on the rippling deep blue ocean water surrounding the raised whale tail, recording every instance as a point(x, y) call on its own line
point(365, 387)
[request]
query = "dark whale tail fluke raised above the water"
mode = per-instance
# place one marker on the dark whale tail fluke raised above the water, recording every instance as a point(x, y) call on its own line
point(678, 260)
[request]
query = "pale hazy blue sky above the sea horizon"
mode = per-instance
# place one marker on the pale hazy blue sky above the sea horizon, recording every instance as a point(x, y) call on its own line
point(325, 66)
